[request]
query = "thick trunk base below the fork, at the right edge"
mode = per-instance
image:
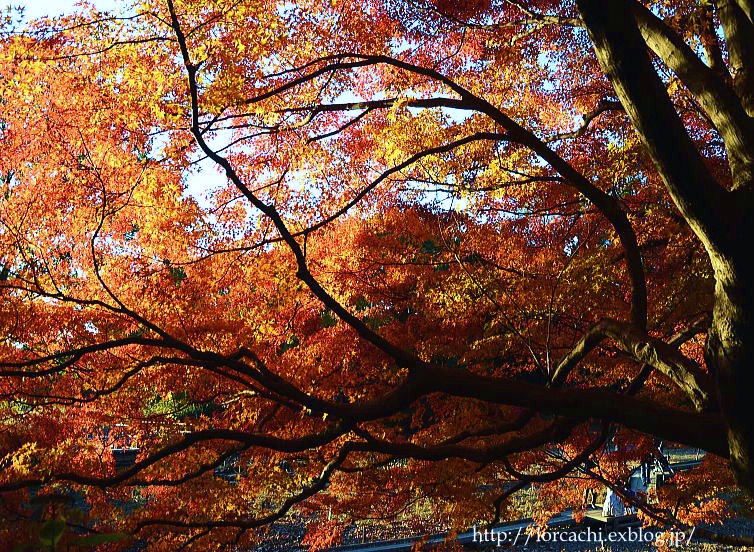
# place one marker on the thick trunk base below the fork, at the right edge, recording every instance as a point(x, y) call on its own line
point(730, 355)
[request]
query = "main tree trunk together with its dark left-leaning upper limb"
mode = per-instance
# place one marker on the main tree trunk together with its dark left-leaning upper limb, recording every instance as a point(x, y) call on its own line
point(719, 218)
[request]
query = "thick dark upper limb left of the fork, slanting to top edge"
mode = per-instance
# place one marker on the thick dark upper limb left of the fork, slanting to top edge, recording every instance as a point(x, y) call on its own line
point(621, 51)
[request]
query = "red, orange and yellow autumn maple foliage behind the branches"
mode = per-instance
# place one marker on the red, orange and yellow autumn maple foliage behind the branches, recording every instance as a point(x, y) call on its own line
point(117, 230)
